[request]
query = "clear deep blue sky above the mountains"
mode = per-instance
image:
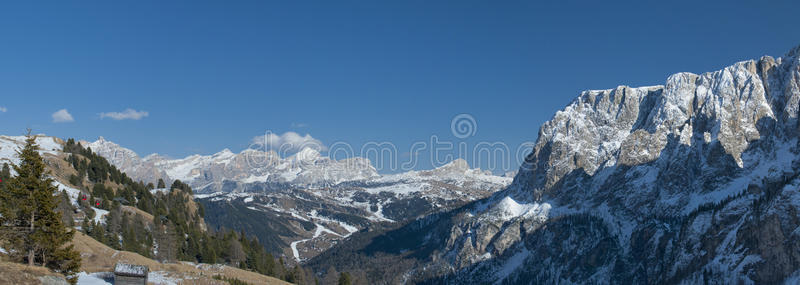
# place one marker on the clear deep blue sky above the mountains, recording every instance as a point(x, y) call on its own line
point(213, 75)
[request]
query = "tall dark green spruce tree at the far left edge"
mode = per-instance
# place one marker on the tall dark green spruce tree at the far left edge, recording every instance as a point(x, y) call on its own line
point(31, 223)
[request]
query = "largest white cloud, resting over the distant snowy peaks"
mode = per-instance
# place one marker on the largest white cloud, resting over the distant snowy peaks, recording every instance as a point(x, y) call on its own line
point(287, 143)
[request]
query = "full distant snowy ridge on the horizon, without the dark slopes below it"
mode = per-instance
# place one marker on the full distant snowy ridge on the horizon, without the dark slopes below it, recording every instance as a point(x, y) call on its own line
point(226, 171)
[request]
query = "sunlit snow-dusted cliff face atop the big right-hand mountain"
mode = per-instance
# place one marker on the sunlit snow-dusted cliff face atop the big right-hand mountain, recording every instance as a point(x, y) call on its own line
point(632, 126)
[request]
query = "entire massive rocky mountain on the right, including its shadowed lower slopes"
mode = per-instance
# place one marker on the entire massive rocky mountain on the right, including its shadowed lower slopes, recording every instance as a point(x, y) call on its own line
point(693, 181)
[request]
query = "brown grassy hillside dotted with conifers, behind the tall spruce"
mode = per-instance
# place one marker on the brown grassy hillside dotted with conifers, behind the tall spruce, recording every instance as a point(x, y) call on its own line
point(126, 217)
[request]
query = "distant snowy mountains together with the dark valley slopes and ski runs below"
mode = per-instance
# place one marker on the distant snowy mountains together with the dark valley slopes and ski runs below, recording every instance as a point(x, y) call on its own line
point(306, 202)
